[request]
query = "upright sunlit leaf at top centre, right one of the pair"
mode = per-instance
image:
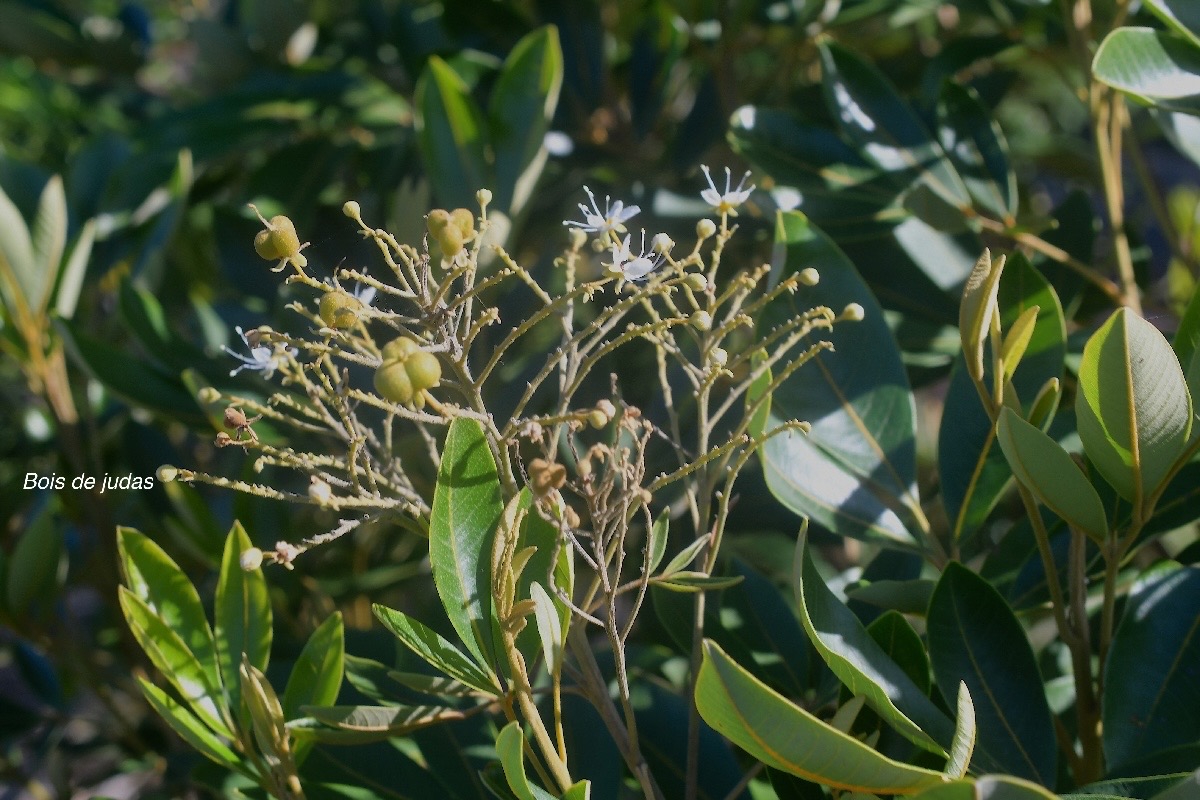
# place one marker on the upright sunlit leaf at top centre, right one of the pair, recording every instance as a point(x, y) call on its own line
point(520, 111)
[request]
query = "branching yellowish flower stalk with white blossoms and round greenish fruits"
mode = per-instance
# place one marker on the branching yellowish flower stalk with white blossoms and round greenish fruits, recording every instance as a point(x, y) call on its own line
point(425, 333)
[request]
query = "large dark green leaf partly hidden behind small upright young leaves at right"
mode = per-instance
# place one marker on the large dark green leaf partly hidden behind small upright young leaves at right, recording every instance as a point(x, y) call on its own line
point(974, 471)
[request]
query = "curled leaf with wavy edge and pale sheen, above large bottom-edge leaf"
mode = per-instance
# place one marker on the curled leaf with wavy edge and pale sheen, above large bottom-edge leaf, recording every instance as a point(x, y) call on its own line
point(861, 664)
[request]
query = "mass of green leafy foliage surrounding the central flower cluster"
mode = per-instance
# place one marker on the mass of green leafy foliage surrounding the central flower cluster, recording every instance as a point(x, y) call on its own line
point(896, 139)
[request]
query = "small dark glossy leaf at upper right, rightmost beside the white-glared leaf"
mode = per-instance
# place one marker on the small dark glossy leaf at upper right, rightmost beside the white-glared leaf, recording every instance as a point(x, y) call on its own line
point(976, 147)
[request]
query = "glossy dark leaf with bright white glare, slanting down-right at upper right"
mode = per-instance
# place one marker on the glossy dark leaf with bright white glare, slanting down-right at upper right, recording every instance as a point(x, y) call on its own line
point(887, 131)
